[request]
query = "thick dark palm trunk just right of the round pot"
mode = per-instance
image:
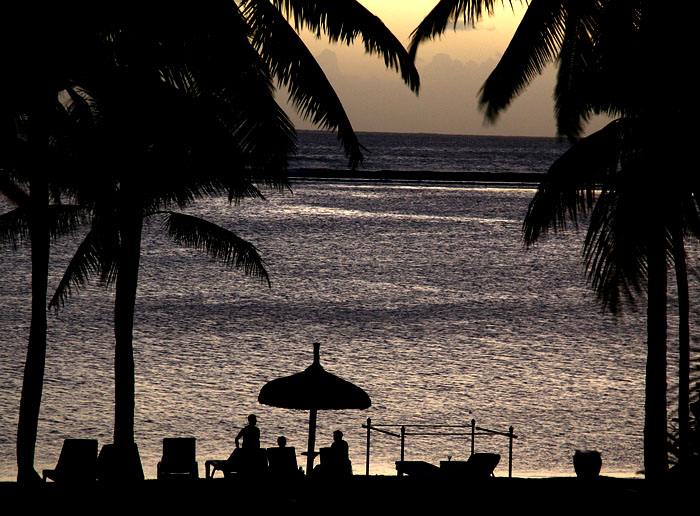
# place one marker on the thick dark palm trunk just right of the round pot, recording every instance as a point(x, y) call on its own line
point(655, 430)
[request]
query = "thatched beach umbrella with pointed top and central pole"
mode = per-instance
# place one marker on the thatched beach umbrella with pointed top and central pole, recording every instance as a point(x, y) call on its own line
point(313, 389)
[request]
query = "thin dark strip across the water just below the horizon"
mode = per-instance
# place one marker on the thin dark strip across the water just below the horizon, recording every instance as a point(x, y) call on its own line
point(525, 178)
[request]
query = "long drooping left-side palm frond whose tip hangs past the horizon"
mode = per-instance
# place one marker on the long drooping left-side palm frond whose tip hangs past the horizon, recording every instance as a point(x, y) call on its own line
point(296, 68)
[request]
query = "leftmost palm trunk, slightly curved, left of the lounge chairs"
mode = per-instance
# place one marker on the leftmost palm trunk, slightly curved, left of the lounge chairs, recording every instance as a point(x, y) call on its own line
point(33, 381)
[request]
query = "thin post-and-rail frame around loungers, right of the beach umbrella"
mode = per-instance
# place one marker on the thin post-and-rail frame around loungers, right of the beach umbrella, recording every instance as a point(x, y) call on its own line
point(473, 432)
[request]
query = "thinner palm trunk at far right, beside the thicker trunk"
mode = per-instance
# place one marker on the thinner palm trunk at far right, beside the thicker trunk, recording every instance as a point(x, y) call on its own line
point(683, 347)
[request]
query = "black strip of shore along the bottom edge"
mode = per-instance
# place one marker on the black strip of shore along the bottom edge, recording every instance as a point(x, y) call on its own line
point(359, 494)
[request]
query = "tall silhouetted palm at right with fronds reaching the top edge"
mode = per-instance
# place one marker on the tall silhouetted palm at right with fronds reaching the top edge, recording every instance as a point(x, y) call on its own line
point(601, 48)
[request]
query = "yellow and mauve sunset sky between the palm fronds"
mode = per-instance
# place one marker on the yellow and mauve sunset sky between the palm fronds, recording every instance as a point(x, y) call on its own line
point(452, 70)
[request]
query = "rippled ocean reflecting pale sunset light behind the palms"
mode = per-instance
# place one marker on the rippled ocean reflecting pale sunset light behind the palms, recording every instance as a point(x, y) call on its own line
point(420, 292)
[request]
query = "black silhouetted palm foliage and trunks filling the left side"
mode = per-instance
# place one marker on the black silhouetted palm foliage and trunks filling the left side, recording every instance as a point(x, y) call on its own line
point(158, 105)
